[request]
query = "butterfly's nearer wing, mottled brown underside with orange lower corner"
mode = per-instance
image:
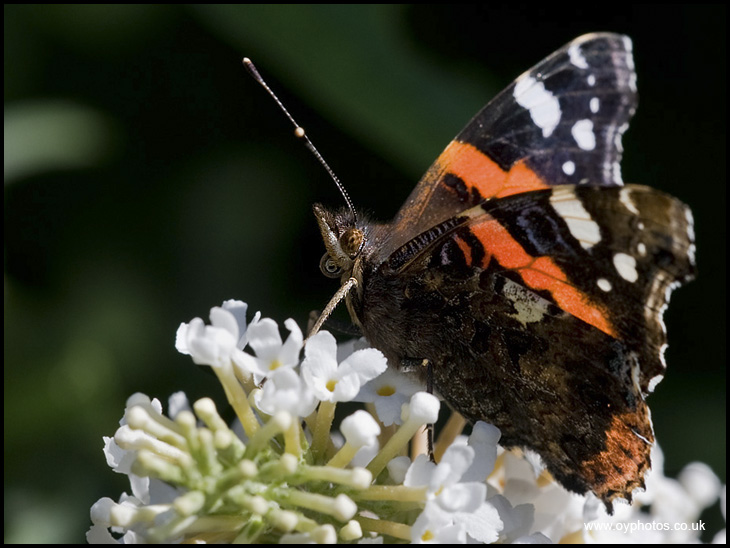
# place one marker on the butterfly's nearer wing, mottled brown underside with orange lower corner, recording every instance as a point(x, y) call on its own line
point(542, 313)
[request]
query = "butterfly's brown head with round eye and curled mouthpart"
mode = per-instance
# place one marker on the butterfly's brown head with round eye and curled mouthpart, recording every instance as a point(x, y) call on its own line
point(344, 241)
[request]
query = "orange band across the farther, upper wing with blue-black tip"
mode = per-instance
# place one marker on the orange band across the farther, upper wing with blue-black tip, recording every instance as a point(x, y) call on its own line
point(479, 171)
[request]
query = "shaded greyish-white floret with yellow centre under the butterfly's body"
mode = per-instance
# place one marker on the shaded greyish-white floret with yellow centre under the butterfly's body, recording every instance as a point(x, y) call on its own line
point(388, 392)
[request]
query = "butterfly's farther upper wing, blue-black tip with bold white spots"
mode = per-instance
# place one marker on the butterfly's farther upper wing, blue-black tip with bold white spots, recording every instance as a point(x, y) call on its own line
point(559, 123)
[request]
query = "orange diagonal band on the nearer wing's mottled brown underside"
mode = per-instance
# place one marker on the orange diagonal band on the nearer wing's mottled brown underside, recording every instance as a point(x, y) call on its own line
point(539, 273)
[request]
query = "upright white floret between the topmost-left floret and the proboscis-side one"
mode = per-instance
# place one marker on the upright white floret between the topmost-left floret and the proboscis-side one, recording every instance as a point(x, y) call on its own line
point(271, 352)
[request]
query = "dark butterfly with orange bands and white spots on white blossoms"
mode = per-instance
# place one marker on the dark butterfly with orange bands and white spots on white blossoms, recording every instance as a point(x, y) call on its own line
point(527, 275)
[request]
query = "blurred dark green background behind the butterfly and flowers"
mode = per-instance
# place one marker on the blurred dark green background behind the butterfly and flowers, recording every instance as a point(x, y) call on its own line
point(148, 178)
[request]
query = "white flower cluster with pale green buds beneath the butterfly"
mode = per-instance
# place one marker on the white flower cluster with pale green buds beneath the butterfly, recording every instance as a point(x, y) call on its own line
point(280, 474)
